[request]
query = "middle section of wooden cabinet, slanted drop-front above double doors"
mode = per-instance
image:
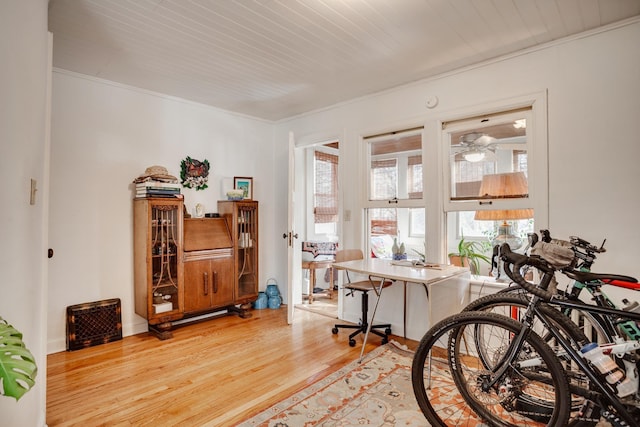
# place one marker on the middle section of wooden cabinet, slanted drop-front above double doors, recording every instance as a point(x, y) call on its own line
point(208, 265)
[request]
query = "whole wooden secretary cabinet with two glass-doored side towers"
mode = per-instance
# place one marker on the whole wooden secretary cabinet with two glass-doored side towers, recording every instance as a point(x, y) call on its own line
point(188, 267)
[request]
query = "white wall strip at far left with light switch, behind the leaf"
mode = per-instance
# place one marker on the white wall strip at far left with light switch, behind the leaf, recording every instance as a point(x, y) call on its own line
point(23, 136)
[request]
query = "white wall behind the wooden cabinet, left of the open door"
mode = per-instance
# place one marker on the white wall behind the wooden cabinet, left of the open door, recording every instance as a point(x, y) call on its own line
point(103, 136)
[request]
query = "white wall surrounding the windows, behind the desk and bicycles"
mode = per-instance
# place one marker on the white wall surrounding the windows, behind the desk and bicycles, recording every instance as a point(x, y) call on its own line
point(593, 127)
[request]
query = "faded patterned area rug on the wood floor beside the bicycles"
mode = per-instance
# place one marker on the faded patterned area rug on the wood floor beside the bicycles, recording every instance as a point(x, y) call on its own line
point(376, 392)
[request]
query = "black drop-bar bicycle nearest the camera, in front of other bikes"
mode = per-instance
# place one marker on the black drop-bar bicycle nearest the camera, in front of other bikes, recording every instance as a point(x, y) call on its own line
point(503, 376)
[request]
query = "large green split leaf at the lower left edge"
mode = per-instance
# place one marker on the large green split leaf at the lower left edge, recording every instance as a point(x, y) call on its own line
point(18, 369)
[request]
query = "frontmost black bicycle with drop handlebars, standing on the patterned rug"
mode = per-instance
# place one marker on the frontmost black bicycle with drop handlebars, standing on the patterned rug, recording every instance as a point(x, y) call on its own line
point(488, 367)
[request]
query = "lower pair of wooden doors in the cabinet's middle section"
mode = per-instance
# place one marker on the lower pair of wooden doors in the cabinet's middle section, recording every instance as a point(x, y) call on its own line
point(208, 284)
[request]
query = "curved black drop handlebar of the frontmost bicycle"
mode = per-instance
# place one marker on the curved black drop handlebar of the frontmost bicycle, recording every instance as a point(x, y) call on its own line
point(514, 262)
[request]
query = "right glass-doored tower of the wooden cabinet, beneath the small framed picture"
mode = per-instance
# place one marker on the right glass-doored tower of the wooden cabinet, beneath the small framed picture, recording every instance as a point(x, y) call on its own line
point(242, 219)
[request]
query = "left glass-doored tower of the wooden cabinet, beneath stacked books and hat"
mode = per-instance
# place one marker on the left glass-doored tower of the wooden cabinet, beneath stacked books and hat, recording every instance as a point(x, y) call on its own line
point(158, 268)
